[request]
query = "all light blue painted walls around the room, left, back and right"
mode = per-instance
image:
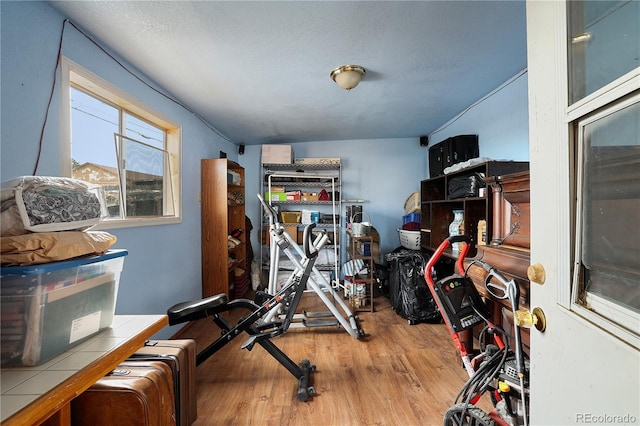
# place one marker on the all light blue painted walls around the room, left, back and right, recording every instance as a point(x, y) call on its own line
point(163, 266)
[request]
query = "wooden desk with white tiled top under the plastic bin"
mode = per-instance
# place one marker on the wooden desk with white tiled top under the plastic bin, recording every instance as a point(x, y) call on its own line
point(42, 394)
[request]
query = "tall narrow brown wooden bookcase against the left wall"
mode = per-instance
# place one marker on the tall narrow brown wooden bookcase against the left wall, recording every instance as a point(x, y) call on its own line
point(224, 262)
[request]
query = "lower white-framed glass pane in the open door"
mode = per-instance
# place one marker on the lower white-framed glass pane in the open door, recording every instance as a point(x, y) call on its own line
point(609, 209)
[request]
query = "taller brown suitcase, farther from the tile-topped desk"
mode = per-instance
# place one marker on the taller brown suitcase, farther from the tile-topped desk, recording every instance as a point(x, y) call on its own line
point(180, 355)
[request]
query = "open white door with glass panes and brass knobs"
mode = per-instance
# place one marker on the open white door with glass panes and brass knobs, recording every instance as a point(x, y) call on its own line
point(583, 102)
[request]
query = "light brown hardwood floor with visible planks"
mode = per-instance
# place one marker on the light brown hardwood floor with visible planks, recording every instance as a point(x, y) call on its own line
point(399, 374)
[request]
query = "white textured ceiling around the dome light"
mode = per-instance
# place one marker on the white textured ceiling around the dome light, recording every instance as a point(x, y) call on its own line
point(259, 71)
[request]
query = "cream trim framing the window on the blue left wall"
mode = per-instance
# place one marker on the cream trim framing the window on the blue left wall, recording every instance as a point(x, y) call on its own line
point(71, 72)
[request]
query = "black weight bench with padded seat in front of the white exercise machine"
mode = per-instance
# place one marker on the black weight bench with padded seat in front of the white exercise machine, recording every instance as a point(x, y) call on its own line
point(259, 332)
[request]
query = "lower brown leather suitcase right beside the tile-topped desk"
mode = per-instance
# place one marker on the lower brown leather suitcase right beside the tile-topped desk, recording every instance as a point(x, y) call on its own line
point(134, 394)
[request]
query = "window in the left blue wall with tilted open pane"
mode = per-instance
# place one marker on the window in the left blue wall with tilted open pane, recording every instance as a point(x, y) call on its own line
point(124, 146)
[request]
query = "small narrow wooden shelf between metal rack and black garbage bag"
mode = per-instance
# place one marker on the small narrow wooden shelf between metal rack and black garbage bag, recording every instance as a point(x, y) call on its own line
point(360, 287)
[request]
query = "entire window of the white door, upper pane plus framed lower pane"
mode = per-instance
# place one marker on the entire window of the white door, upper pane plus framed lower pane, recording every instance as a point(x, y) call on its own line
point(604, 115)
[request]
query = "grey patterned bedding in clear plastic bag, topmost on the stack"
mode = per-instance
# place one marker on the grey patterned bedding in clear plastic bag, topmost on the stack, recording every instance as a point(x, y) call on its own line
point(48, 204)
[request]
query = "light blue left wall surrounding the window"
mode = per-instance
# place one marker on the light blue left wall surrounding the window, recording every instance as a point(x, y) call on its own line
point(163, 265)
